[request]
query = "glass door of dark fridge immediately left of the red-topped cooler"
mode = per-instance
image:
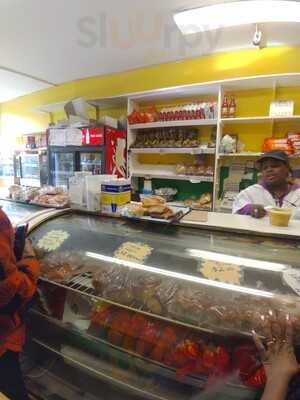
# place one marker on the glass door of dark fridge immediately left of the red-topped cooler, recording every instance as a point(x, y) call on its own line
point(63, 166)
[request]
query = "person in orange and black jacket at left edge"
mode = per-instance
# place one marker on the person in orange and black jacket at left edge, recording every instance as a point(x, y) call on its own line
point(17, 287)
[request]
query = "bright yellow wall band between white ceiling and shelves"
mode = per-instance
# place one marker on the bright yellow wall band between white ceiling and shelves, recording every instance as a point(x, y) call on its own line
point(16, 117)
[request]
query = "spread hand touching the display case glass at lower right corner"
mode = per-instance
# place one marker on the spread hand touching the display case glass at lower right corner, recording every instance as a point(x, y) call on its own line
point(278, 355)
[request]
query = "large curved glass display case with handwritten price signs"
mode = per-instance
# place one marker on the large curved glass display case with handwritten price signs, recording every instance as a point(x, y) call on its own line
point(159, 312)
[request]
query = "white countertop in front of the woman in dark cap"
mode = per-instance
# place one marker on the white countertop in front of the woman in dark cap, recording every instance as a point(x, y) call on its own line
point(240, 223)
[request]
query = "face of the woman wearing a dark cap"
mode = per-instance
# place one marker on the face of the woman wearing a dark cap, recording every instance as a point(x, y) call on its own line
point(274, 172)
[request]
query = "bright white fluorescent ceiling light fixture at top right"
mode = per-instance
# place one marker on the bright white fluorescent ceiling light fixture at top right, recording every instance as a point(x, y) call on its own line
point(238, 13)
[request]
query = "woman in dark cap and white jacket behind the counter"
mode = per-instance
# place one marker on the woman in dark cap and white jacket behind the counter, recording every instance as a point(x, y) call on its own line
point(274, 189)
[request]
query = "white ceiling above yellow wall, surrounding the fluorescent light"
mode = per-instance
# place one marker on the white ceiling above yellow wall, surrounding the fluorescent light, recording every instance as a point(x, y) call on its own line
point(55, 41)
